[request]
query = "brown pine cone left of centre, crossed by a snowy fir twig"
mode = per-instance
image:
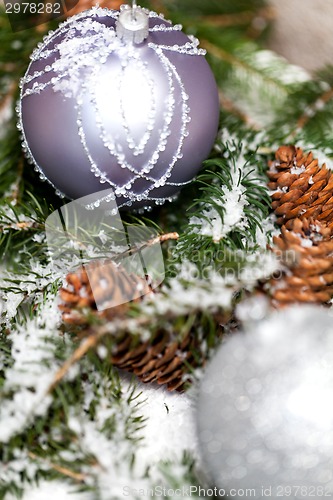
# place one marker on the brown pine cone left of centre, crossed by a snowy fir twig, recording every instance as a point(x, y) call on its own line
point(164, 360)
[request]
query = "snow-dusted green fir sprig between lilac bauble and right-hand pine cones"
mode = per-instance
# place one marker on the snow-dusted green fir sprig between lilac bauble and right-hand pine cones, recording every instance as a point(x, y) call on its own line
point(233, 189)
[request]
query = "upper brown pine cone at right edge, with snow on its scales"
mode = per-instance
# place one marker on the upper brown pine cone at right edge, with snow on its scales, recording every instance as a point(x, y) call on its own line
point(301, 187)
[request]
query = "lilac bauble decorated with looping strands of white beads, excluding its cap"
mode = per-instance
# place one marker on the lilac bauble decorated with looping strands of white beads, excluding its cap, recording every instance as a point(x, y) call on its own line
point(97, 112)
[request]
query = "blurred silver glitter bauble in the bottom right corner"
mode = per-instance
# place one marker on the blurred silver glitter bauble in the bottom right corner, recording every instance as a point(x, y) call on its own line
point(265, 412)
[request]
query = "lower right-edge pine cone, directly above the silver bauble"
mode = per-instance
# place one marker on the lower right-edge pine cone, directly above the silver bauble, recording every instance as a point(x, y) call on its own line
point(306, 250)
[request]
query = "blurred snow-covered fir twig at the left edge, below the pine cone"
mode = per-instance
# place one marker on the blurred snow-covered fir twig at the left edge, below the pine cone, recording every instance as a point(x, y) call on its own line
point(32, 372)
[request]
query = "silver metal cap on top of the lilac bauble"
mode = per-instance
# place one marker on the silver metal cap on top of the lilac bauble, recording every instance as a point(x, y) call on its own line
point(132, 24)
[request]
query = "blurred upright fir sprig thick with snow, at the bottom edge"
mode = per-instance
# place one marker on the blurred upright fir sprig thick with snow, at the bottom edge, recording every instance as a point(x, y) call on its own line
point(113, 471)
